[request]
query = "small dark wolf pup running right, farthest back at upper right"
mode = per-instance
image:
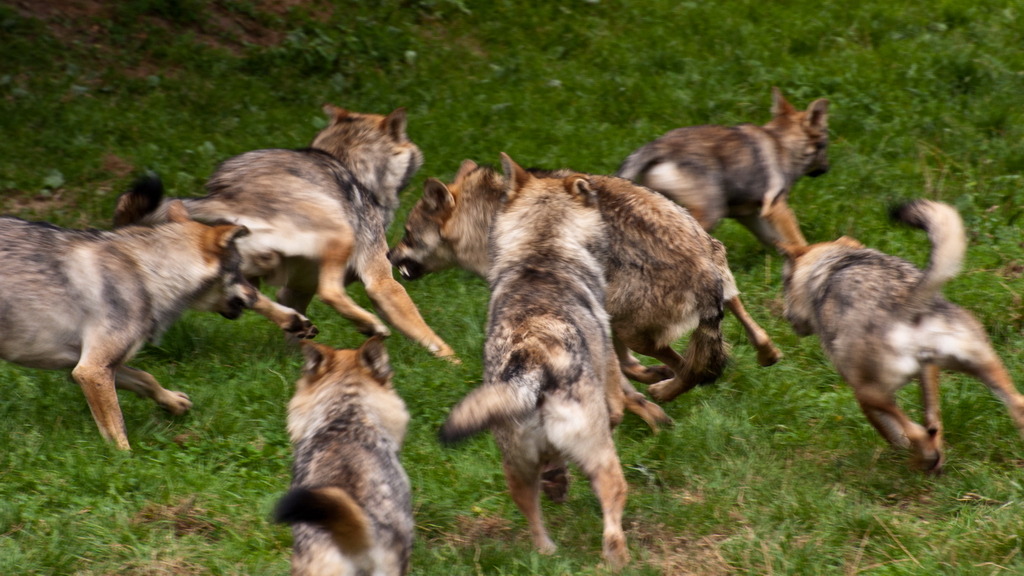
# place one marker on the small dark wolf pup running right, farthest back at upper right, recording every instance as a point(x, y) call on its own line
point(743, 173)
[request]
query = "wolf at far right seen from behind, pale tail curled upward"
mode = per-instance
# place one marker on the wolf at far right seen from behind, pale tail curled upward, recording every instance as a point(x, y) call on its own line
point(883, 322)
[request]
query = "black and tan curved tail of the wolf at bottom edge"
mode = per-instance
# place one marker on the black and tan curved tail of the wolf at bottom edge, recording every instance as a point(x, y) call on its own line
point(332, 509)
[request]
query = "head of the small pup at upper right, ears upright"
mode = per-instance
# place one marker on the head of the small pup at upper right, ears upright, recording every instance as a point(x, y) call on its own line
point(803, 134)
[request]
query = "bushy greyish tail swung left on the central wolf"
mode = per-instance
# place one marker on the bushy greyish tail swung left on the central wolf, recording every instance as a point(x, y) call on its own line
point(486, 406)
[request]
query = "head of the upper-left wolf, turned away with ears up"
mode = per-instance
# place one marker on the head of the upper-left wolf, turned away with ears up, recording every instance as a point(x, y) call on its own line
point(375, 148)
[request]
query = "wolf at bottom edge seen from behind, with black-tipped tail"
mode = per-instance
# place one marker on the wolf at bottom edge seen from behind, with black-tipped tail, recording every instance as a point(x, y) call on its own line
point(351, 504)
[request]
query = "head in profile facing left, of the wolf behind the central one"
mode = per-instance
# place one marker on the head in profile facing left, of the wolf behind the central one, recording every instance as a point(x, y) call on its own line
point(449, 226)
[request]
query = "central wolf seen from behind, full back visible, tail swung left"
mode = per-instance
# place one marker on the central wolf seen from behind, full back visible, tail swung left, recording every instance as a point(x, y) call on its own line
point(551, 387)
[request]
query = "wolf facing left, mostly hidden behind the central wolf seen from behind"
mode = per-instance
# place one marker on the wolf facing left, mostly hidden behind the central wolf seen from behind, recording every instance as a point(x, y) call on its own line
point(666, 275)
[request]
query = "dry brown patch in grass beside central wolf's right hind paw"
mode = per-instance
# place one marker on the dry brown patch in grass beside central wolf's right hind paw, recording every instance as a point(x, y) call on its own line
point(679, 554)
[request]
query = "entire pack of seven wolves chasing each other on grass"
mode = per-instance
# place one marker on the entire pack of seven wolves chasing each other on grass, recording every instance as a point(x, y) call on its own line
point(585, 272)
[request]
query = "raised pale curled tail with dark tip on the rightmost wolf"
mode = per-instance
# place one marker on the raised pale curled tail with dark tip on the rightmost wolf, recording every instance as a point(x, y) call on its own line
point(946, 231)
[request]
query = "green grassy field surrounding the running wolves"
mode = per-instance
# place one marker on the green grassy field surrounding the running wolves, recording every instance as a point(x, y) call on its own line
point(773, 471)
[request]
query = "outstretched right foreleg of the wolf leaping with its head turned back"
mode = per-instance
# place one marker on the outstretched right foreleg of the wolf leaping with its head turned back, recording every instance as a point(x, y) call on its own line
point(393, 302)
